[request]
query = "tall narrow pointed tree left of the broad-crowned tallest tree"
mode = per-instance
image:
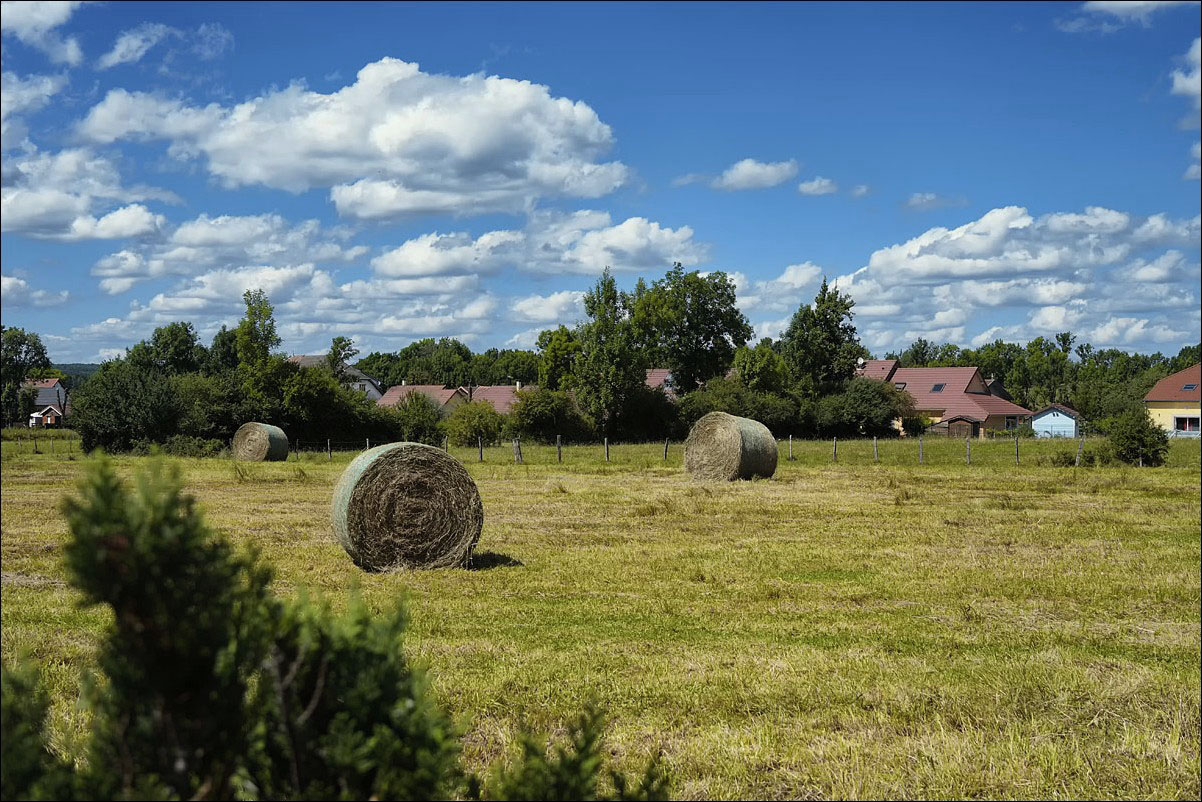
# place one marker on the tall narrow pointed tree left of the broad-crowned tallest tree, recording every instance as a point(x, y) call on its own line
point(610, 367)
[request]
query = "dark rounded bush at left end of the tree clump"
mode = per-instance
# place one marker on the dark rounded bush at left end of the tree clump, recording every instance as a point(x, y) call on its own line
point(123, 405)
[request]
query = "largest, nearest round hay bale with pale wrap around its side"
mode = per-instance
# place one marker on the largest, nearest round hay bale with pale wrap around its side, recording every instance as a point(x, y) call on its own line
point(407, 506)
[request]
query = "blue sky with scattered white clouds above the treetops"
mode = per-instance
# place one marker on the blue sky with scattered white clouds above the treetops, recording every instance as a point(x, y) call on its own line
point(391, 171)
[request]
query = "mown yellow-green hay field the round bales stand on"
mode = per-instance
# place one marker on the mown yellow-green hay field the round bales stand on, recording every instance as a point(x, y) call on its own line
point(841, 631)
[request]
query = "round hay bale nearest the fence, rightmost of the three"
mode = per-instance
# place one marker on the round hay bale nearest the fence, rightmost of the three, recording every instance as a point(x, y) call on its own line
point(727, 448)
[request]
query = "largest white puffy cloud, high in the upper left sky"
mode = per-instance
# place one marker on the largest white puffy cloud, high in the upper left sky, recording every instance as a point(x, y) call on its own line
point(398, 141)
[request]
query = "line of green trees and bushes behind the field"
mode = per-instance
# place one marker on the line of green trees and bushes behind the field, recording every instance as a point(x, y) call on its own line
point(588, 381)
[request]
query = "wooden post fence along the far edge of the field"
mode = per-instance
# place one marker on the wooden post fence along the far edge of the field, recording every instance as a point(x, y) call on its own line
point(608, 452)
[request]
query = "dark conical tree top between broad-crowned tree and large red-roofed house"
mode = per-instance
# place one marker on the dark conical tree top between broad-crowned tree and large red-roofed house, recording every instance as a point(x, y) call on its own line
point(820, 346)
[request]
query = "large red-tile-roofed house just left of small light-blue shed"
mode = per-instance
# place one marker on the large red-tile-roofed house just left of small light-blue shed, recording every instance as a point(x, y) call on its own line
point(959, 399)
